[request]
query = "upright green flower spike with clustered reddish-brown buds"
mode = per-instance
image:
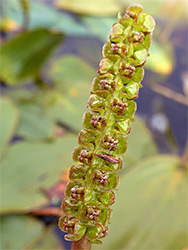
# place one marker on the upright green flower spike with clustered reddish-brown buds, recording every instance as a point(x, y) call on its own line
point(93, 178)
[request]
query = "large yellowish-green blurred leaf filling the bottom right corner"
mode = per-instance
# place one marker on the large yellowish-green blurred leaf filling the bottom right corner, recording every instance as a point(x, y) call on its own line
point(151, 207)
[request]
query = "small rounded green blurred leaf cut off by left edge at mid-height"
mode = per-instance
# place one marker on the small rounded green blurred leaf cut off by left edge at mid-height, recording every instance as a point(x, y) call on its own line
point(8, 120)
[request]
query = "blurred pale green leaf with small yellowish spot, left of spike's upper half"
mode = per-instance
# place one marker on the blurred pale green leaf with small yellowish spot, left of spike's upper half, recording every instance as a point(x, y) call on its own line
point(73, 77)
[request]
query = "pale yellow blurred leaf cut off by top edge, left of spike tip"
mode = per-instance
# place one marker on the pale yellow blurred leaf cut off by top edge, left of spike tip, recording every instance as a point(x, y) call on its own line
point(97, 7)
